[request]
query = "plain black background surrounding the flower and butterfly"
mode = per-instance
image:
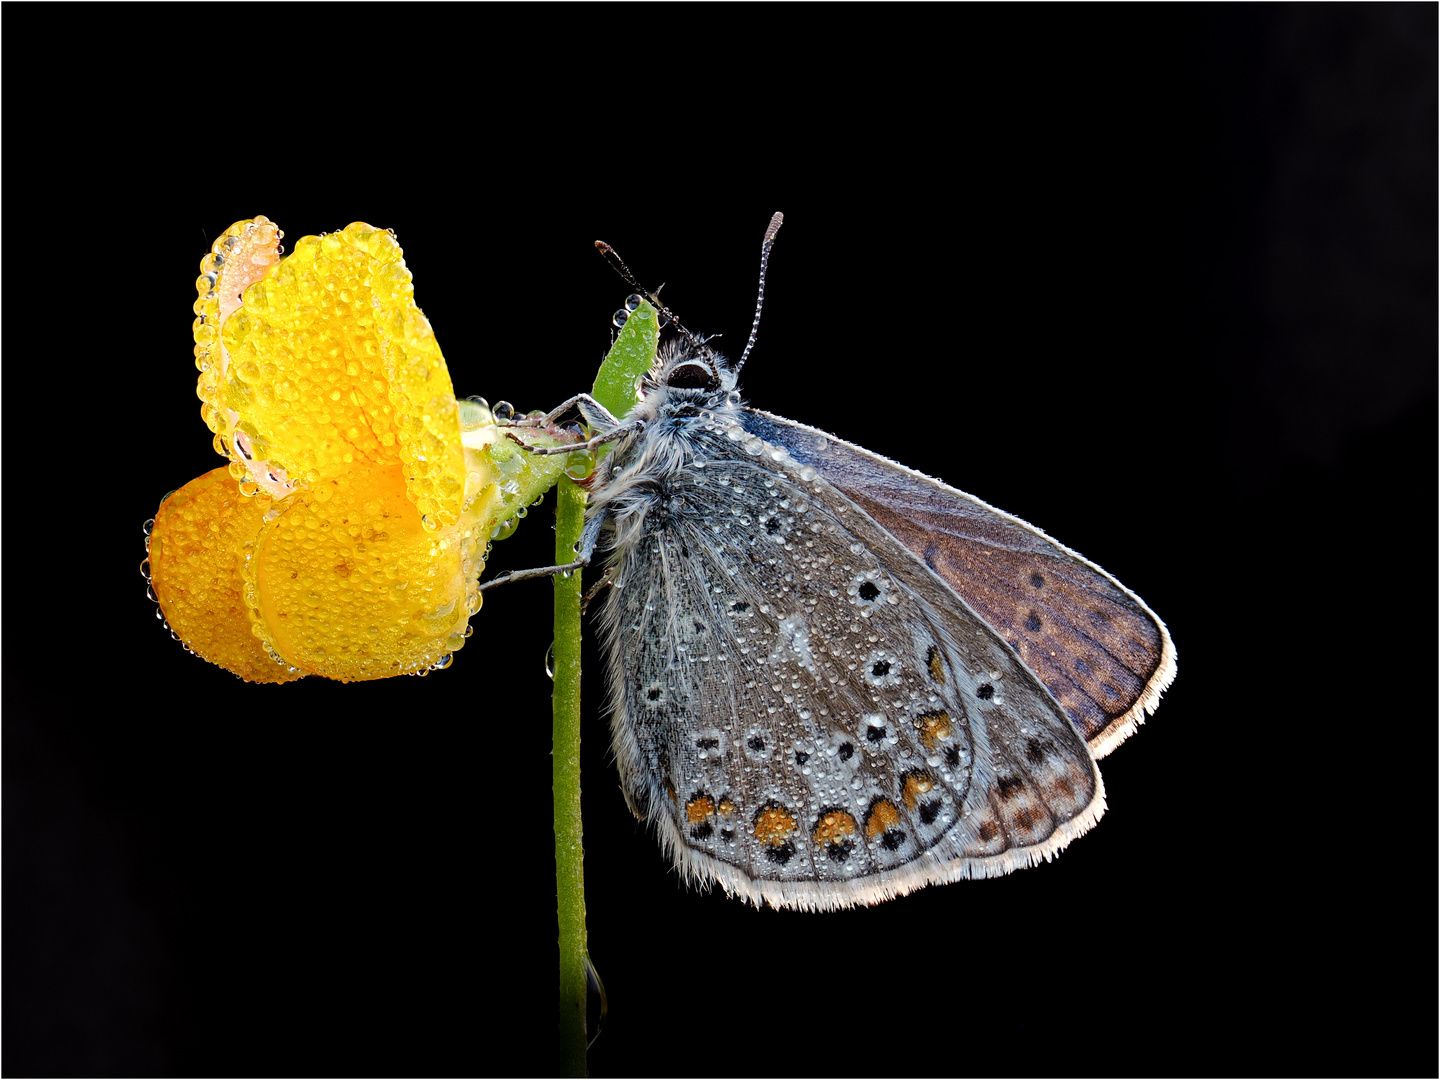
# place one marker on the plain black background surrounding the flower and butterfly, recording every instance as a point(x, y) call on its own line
point(1161, 282)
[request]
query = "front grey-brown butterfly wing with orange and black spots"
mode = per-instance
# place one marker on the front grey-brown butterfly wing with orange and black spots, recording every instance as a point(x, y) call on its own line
point(807, 714)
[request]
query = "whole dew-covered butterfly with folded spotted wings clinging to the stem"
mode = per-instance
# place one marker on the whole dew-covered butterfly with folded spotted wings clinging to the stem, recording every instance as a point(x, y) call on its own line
point(836, 680)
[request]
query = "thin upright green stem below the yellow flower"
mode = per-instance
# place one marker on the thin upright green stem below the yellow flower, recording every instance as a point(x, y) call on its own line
point(570, 852)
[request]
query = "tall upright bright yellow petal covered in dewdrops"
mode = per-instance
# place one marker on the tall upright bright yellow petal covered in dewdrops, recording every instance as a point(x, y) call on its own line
point(330, 366)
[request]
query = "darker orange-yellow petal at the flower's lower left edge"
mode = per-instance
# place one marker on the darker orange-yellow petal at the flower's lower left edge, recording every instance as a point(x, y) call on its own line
point(198, 552)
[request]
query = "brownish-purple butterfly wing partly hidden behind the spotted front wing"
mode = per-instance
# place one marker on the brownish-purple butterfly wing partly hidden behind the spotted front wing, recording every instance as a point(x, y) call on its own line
point(1098, 649)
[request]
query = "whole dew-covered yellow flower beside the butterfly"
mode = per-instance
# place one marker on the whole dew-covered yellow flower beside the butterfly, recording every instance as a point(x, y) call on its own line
point(348, 534)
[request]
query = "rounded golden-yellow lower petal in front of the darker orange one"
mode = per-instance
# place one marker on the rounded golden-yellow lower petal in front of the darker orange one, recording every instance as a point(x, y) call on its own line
point(354, 587)
